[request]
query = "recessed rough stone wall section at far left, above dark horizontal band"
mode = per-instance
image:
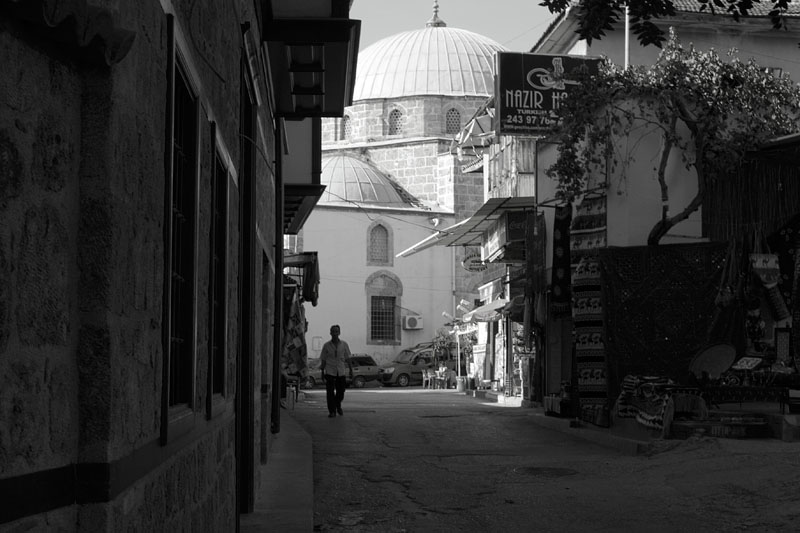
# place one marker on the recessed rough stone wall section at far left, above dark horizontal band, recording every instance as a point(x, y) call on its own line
point(40, 149)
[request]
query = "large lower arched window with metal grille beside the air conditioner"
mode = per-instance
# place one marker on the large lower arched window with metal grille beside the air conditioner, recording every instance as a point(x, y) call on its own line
point(384, 291)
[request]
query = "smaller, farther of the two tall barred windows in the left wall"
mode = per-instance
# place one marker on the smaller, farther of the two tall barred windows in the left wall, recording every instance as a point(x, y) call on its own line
point(219, 277)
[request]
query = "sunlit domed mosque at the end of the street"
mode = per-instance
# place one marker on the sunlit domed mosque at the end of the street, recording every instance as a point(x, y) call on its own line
point(414, 93)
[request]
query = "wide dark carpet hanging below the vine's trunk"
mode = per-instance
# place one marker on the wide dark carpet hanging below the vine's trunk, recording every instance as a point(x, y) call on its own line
point(659, 301)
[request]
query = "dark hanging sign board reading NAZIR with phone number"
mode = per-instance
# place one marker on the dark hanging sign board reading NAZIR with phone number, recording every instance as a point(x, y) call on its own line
point(530, 88)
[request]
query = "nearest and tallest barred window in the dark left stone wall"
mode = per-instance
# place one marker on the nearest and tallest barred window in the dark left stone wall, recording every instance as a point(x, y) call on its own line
point(181, 253)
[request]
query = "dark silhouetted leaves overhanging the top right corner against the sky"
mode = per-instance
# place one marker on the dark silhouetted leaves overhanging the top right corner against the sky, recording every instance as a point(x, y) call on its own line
point(596, 17)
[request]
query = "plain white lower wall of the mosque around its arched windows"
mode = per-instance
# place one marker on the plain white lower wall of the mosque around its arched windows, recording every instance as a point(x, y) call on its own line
point(339, 235)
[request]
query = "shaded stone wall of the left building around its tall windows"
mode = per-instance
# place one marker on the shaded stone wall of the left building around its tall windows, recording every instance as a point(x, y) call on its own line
point(82, 192)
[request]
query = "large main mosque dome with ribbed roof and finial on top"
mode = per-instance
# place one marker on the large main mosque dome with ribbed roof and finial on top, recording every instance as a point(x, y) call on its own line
point(435, 60)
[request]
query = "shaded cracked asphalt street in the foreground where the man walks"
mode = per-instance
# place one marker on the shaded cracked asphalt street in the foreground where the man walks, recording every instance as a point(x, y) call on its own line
point(411, 460)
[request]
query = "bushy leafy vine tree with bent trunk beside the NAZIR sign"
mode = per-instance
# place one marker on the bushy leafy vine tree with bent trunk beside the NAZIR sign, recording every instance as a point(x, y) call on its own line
point(728, 107)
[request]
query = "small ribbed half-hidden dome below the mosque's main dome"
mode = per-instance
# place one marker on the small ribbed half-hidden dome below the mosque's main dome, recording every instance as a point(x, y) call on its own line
point(350, 179)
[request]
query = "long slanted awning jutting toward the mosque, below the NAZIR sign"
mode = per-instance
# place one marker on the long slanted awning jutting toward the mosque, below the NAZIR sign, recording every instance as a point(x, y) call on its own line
point(469, 232)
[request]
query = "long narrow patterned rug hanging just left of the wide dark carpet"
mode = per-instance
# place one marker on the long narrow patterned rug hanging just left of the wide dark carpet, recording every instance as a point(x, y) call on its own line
point(590, 353)
